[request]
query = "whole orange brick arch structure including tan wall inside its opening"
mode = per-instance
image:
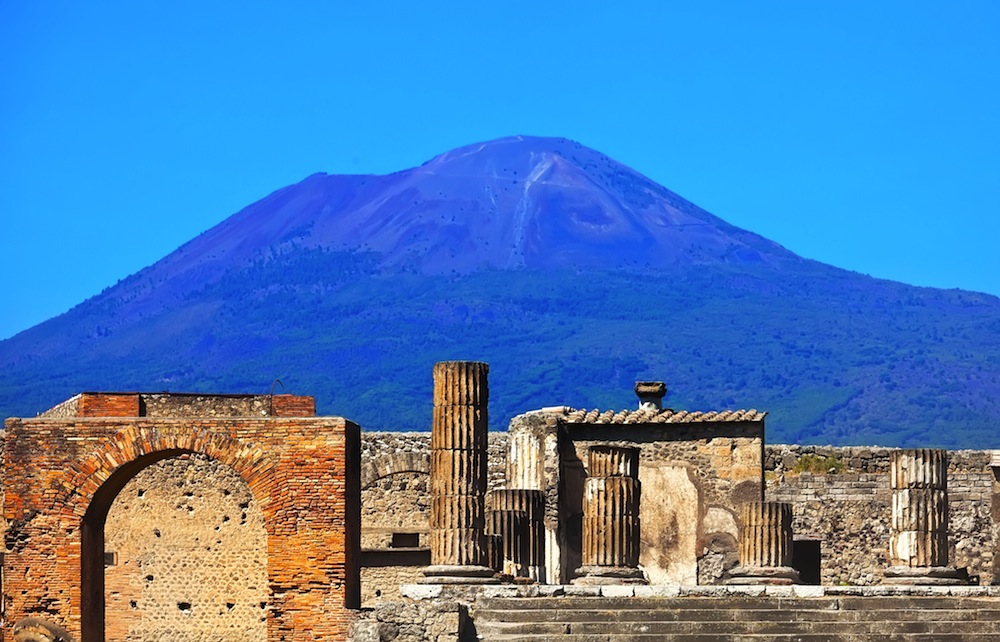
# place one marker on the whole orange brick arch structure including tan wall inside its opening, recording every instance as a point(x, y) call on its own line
point(66, 471)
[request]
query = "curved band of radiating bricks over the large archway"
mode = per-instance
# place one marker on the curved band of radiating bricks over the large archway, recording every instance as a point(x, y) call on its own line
point(134, 444)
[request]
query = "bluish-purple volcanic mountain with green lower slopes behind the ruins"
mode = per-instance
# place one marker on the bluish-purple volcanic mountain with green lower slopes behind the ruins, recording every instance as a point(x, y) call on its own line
point(570, 273)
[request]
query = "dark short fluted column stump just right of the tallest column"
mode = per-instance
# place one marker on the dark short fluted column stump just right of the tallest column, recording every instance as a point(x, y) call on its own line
point(524, 540)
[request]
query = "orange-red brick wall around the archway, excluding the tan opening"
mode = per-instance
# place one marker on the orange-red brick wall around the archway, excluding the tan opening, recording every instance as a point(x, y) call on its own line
point(304, 472)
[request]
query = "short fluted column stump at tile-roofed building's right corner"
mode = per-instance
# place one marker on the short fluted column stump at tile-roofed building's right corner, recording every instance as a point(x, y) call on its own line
point(765, 545)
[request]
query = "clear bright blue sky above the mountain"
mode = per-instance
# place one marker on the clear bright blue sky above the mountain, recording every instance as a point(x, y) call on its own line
point(861, 134)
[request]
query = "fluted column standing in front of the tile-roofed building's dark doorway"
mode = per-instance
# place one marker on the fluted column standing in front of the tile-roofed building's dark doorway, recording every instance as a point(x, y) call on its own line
point(611, 518)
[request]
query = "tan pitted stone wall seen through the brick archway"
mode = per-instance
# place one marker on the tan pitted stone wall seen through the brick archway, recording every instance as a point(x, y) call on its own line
point(188, 556)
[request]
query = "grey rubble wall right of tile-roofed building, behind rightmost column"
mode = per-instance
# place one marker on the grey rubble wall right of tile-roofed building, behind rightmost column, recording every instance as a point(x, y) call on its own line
point(841, 497)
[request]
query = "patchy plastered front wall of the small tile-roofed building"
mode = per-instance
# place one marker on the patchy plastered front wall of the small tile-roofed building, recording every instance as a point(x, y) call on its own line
point(693, 478)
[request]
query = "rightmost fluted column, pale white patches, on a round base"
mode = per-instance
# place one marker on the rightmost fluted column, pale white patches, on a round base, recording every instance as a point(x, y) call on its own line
point(918, 533)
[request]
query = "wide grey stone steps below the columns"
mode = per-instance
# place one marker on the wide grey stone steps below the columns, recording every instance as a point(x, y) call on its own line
point(739, 618)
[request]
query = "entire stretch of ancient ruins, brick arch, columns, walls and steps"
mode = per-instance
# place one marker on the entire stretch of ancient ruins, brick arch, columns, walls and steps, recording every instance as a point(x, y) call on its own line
point(135, 516)
